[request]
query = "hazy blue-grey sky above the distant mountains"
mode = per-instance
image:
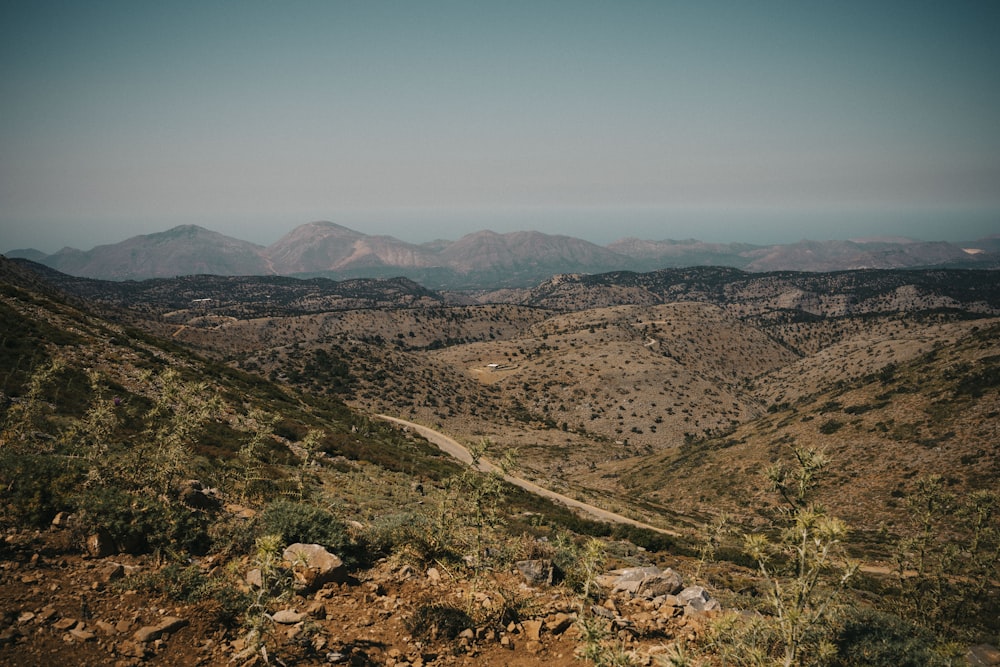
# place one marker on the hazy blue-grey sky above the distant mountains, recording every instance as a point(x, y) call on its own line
point(727, 121)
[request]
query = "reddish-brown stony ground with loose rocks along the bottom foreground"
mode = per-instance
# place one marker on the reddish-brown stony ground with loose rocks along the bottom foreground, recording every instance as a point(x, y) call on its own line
point(61, 606)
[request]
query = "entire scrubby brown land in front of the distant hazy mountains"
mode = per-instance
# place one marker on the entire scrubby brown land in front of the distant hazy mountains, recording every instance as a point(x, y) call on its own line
point(815, 451)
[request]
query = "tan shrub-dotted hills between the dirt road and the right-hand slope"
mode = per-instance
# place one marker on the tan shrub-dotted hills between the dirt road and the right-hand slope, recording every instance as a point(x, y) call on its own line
point(586, 372)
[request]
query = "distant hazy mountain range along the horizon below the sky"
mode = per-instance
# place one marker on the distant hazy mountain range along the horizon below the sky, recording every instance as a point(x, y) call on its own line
point(483, 259)
